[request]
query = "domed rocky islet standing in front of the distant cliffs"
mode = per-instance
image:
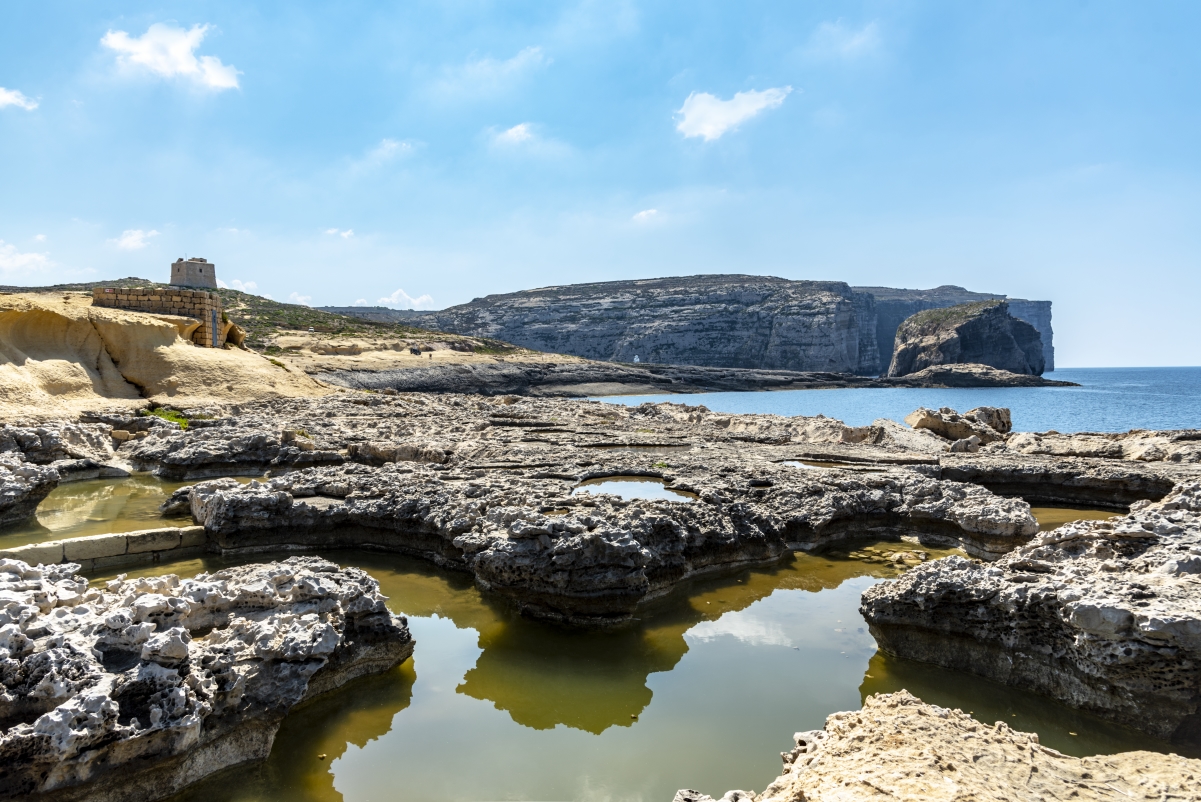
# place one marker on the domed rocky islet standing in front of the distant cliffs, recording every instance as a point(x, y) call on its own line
point(983, 333)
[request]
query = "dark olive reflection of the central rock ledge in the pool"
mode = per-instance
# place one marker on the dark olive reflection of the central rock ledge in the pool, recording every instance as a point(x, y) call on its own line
point(546, 675)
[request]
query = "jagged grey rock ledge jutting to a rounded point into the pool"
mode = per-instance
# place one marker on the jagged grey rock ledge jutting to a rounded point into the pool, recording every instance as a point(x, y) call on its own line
point(593, 559)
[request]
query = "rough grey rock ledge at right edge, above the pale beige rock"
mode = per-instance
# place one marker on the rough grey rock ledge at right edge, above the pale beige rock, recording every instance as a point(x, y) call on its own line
point(1102, 615)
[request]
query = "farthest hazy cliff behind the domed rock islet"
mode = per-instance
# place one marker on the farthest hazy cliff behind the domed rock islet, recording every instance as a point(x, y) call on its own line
point(894, 307)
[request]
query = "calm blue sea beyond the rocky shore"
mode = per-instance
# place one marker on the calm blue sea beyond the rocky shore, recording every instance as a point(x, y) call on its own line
point(1110, 399)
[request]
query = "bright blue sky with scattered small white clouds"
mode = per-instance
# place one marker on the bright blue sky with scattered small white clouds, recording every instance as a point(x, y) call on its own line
point(423, 154)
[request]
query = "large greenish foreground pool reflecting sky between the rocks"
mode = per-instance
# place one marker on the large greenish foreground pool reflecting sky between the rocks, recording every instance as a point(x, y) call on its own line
point(703, 692)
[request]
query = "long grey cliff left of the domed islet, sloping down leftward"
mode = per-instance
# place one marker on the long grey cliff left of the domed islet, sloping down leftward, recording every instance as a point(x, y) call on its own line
point(709, 321)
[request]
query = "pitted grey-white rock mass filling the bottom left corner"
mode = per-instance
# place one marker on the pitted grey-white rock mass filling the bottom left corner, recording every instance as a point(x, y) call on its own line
point(136, 690)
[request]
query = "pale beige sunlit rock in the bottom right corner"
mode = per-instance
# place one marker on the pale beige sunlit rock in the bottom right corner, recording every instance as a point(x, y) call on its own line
point(899, 749)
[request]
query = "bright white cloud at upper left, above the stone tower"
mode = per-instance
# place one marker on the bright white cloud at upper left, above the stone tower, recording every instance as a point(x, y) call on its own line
point(169, 51)
